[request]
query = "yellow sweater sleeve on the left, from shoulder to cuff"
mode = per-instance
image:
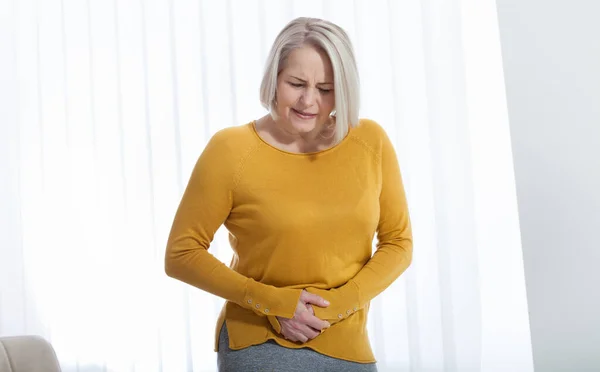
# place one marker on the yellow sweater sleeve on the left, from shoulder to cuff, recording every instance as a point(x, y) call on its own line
point(204, 207)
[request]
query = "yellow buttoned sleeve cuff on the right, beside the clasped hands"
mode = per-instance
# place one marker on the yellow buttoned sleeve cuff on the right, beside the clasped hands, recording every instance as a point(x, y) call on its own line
point(344, 301)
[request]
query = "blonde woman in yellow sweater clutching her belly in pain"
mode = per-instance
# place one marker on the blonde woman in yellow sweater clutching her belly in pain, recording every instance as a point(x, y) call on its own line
point(302, 192)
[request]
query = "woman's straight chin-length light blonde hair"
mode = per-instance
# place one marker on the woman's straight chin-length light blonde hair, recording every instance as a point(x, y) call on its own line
point(334, 41)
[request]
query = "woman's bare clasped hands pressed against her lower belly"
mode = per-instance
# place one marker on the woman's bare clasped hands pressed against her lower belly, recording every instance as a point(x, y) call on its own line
point(304, 325)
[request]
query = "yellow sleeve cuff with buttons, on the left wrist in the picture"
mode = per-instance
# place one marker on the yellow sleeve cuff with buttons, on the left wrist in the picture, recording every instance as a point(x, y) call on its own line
point(267, 300)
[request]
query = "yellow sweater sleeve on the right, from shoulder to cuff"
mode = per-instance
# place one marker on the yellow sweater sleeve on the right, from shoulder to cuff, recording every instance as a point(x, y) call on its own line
point(394, 247)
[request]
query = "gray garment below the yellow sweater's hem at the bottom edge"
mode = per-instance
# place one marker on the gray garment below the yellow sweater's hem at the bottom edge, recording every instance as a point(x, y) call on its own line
point(270, 356)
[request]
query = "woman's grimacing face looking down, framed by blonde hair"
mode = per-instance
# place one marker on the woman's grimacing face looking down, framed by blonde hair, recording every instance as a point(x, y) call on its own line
point(305, 95)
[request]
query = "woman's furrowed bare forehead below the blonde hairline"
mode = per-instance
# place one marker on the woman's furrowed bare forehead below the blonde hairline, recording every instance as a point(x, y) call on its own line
point(308, 62)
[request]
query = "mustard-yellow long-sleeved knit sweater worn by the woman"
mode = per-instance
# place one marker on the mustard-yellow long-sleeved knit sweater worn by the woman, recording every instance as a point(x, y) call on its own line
point(296, 221)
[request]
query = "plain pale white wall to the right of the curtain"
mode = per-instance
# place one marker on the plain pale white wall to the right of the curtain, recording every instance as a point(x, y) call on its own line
point(551, 52)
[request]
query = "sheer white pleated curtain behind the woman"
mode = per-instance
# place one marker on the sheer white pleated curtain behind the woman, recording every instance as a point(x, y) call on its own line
point(106, 105)
